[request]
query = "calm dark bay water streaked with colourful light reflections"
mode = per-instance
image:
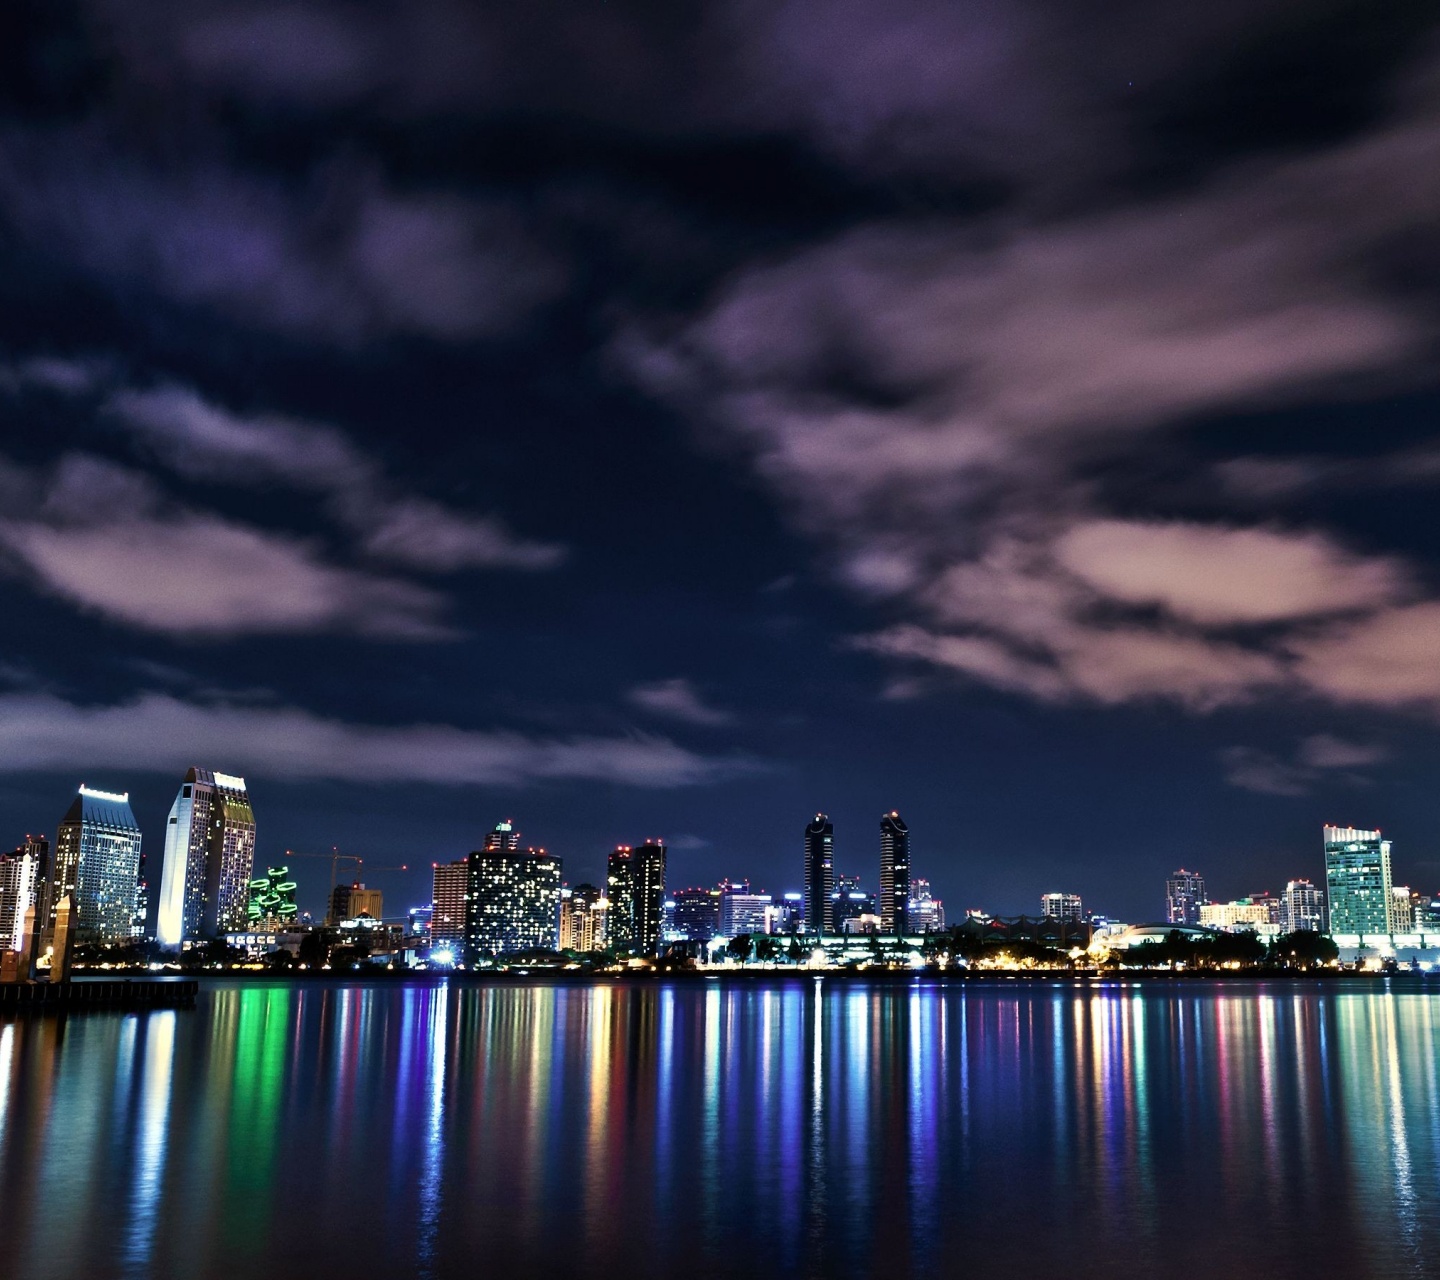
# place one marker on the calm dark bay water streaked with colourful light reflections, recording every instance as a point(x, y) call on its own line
point(725, 1130)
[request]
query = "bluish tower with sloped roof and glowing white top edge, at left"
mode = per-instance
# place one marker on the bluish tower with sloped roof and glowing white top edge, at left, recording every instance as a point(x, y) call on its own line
point(97, 865)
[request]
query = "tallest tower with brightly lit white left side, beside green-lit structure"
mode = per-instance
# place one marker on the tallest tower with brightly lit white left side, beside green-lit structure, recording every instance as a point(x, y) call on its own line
point(210, 859)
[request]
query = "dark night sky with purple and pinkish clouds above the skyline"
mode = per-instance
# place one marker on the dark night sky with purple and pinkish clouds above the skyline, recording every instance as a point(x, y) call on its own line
point(657, 420)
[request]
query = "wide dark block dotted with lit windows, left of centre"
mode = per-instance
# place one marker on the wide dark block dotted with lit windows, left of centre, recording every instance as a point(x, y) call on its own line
point(513, 903)
